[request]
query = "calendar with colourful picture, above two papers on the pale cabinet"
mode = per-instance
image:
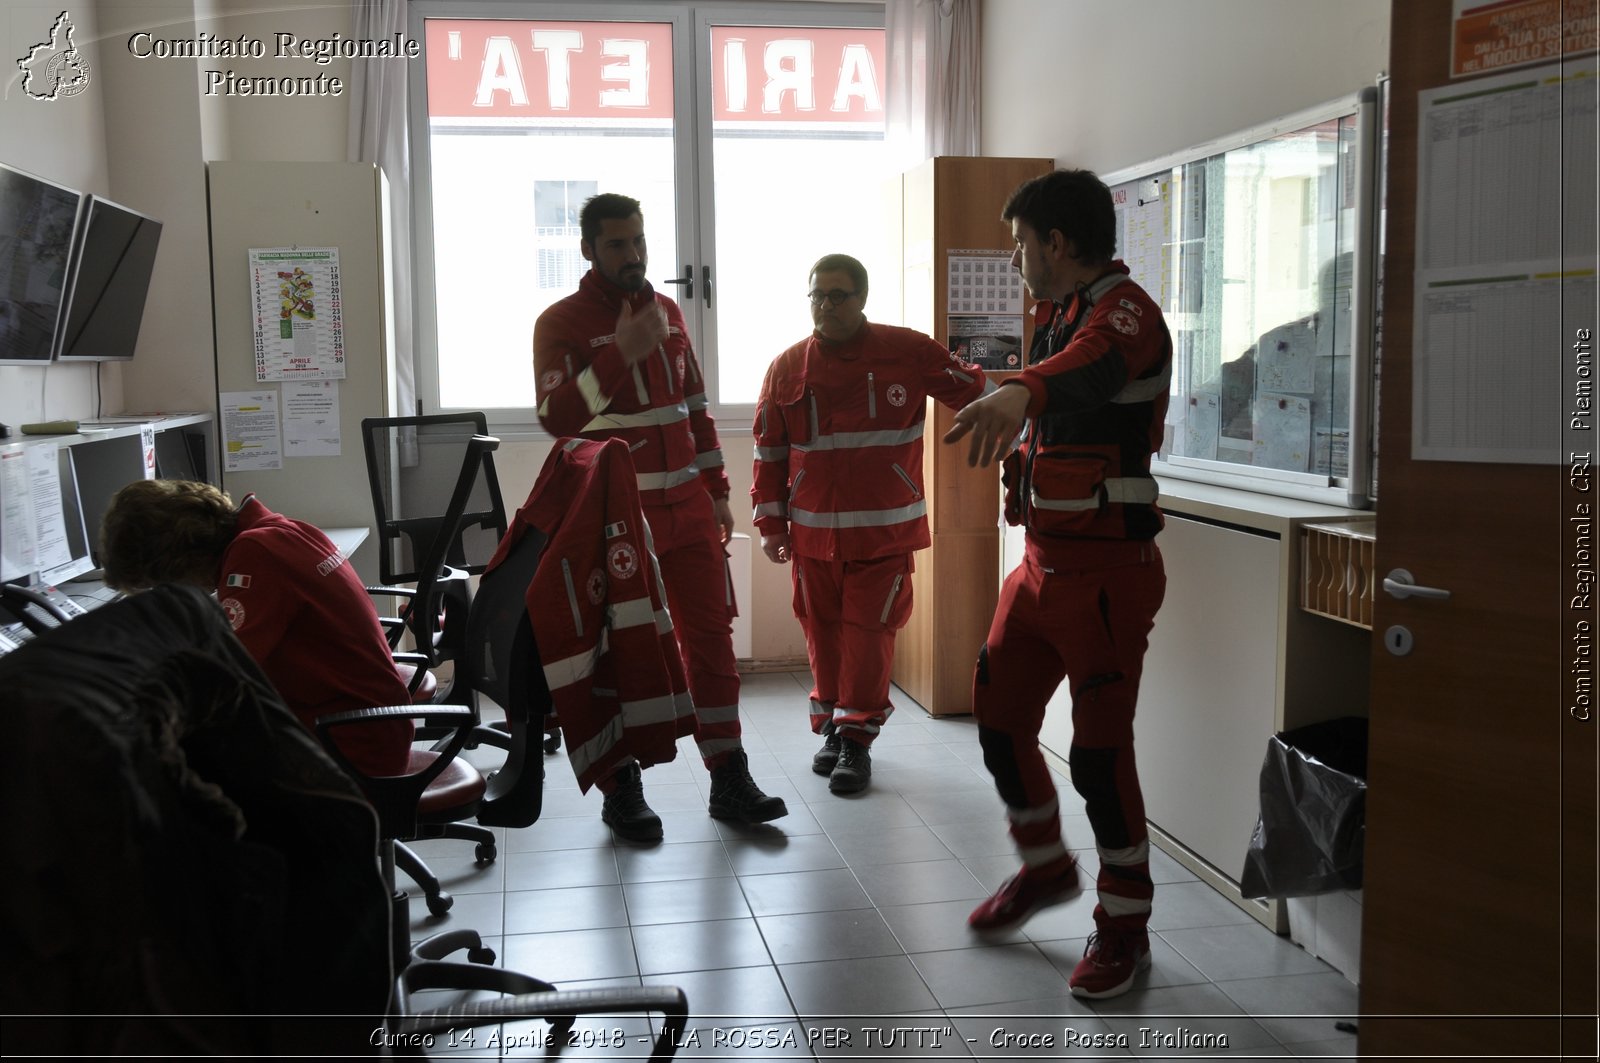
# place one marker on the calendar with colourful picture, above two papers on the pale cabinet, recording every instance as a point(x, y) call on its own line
point(297, 305)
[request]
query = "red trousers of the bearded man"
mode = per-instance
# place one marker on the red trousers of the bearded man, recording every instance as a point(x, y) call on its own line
point(700, 598)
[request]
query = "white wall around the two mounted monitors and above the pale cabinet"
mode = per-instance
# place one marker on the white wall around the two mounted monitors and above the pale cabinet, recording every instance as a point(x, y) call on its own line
point(142, 135)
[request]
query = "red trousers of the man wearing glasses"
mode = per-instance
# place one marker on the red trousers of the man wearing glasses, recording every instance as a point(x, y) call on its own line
point(850, 612)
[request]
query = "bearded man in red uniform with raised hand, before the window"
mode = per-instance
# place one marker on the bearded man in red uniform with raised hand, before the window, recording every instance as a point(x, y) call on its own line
point(614, 361)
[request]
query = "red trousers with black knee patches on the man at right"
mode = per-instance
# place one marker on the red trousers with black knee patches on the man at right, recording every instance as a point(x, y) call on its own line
point(1087, 620)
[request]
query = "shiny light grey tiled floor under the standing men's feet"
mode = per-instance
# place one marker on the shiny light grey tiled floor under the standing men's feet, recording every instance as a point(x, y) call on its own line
point(849, 918)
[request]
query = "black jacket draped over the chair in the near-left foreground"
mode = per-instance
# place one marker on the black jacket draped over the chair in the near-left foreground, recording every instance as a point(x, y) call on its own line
point(178, 848)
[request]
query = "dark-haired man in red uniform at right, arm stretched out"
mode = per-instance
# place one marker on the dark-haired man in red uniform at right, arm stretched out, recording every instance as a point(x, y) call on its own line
point(1082, 603)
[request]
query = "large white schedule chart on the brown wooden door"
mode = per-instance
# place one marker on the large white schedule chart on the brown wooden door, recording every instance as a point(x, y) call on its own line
point(1506, 262)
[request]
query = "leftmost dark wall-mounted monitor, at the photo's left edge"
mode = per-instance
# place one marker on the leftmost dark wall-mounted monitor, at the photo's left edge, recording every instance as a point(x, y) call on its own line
point(39, 227)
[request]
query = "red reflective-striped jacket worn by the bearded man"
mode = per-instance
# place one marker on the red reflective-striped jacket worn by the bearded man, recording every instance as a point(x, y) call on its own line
point(658, 407)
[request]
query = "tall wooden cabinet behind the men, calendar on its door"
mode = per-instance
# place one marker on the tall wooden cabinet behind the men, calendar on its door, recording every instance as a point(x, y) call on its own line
point(950, 206)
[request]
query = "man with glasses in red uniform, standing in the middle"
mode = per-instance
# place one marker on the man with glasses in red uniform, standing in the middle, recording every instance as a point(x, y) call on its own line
point(839, 492)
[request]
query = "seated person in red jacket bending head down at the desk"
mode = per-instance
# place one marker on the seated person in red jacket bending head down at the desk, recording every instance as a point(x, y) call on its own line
point(289, 593)
